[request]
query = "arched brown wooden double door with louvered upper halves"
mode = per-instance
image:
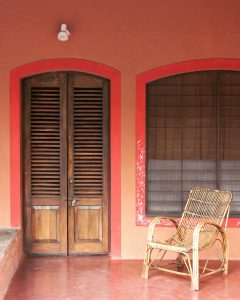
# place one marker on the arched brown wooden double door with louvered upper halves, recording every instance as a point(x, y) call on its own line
point(65, 163)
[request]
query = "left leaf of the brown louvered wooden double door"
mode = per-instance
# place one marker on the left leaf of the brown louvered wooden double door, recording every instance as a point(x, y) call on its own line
point(44, 163)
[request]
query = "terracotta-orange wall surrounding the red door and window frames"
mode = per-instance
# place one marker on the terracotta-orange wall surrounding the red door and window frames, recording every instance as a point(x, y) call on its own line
point(131, 36)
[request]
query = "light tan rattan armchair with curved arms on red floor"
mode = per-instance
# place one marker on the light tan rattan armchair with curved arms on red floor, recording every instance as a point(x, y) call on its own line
point(201, 227)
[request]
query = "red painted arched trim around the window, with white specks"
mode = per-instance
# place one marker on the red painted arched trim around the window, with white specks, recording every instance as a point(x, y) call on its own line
point(141, 81)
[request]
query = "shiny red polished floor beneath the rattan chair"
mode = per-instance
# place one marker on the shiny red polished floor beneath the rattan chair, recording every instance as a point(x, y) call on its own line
point(100, 278)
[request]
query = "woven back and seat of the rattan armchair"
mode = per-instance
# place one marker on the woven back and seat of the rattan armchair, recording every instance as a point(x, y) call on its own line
point(203, 205)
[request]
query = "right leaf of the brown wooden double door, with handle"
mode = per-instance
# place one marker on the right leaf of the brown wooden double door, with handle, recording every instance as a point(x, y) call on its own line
point(89, 170)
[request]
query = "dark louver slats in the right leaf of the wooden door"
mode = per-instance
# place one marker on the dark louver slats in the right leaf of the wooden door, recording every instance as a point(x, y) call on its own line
point(88, 142)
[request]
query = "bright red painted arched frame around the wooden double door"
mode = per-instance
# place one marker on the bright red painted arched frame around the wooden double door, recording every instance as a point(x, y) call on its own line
point(79, 65)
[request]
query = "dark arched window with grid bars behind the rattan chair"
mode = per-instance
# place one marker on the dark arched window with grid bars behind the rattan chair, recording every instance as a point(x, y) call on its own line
point(193, 130)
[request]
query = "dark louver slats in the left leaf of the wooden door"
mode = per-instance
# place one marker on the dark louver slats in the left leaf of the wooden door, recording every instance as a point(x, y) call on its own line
point(45, 142)
